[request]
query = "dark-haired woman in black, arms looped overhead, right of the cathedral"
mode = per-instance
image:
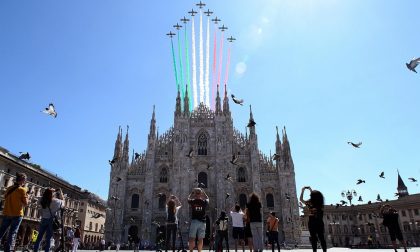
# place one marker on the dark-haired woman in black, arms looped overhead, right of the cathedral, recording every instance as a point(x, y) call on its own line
point(315, 209)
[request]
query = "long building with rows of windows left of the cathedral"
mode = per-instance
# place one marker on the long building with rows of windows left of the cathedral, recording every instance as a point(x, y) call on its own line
point(38, 180)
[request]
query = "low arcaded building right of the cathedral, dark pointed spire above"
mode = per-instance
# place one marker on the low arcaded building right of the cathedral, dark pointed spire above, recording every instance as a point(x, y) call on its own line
point(355, 225)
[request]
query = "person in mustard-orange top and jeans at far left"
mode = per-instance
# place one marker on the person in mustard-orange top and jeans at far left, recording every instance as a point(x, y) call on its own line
point(15, 199)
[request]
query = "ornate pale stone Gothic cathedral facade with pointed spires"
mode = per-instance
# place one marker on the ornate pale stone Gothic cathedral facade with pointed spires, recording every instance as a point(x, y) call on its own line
point(139, 188)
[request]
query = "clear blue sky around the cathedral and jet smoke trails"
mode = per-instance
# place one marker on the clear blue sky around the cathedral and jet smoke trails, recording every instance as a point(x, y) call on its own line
point(330, 71)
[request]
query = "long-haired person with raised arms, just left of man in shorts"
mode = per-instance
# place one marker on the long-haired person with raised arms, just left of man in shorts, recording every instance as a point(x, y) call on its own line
point(172, 207)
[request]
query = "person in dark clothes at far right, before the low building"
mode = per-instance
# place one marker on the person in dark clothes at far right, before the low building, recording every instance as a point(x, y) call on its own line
point(390, 216)
